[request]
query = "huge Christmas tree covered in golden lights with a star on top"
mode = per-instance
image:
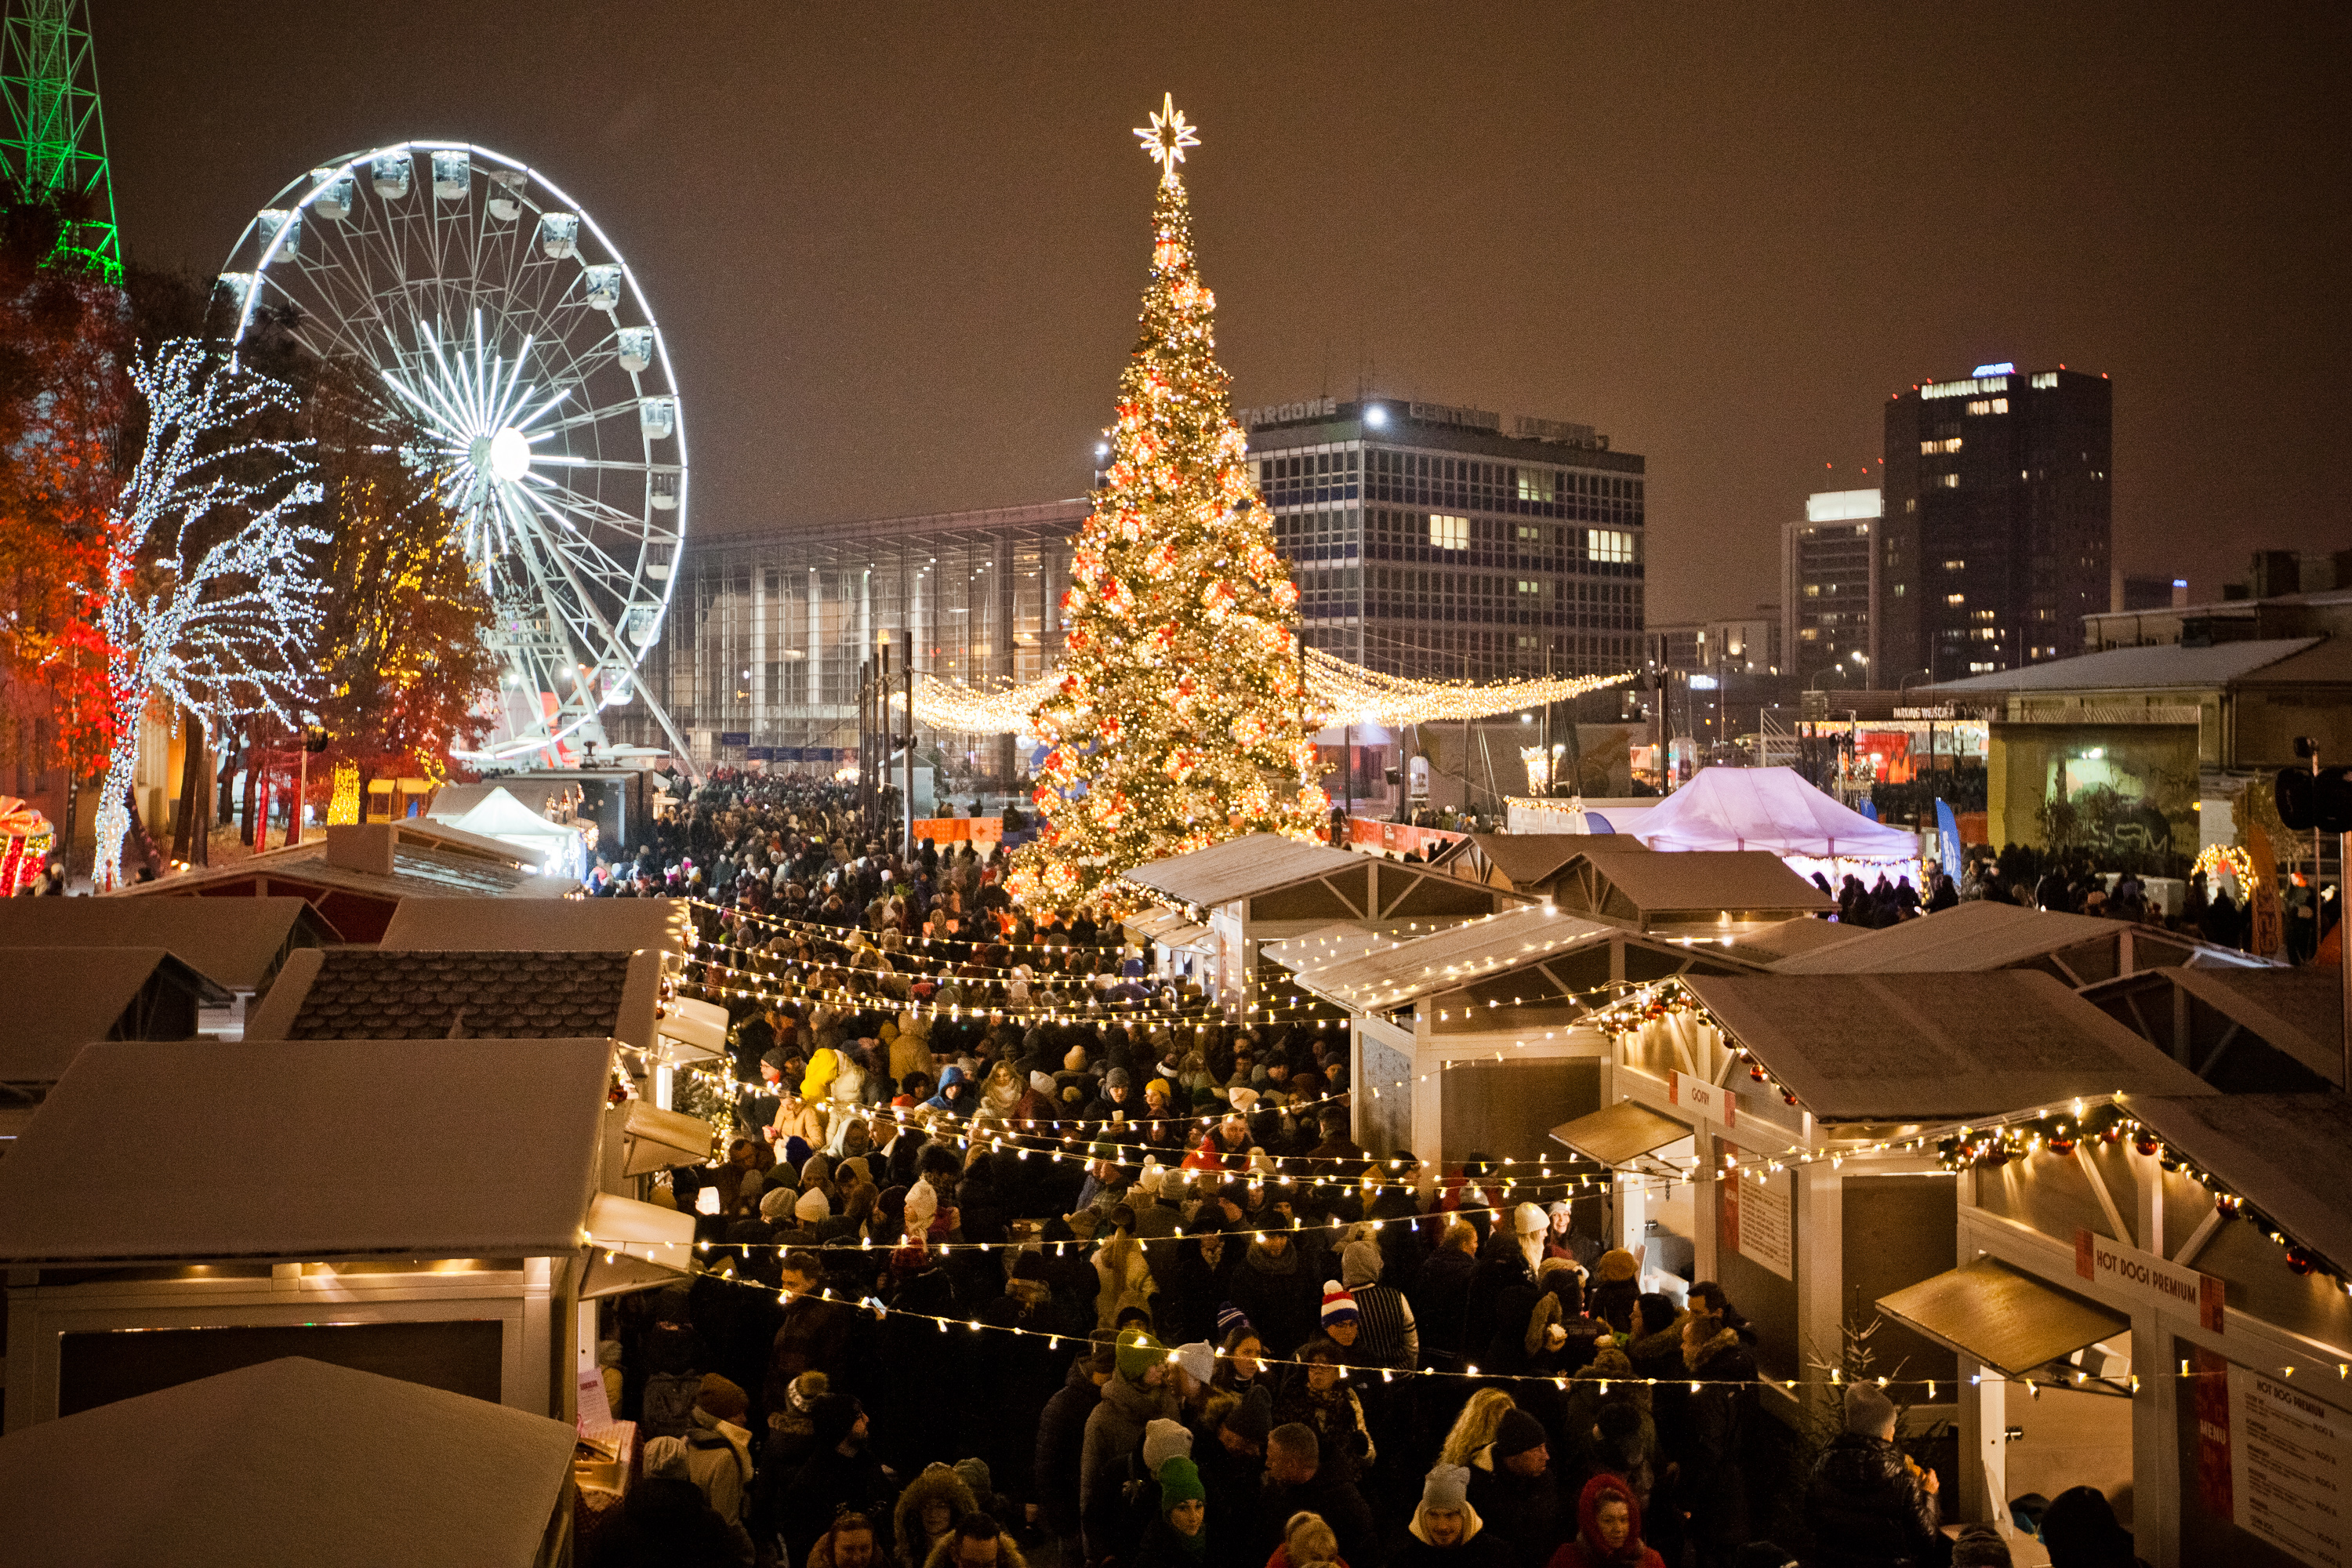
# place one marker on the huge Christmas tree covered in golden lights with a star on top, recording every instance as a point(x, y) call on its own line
point(1180, 713)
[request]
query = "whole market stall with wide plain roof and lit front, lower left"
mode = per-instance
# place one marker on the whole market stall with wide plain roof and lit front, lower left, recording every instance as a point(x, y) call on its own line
point(182, 1209)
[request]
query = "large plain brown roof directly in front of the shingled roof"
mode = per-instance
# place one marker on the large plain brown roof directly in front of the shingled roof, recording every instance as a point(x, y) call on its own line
point(309, 1151)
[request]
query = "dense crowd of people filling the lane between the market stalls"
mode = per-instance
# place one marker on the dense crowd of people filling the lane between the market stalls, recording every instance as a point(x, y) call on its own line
point(991, 1280)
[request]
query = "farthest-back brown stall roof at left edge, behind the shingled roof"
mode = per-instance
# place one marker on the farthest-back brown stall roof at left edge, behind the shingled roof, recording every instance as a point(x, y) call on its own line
point(236, 942)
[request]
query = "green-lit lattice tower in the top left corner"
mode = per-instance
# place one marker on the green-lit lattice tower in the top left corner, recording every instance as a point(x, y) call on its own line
point(55, 138)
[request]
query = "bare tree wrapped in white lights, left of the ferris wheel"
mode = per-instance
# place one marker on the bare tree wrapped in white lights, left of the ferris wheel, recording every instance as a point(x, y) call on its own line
point(208, 589)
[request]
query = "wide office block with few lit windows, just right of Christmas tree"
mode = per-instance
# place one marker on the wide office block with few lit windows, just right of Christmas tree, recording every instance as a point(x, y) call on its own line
point(1434, 544)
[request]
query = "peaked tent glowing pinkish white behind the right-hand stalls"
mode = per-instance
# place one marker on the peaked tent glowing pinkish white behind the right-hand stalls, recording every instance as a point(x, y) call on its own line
point(1779, 812)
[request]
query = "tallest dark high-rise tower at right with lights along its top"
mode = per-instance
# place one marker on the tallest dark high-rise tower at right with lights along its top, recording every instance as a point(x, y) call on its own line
point(1998, 523)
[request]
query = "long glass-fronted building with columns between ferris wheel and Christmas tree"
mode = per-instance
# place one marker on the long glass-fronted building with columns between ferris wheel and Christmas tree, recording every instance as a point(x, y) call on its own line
point(768, 638)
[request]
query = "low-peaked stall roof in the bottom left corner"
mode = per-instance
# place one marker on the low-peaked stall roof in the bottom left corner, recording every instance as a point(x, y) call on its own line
point(286, 1461)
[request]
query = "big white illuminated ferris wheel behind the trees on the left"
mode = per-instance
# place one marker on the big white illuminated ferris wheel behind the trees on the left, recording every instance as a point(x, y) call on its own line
point(500, 316)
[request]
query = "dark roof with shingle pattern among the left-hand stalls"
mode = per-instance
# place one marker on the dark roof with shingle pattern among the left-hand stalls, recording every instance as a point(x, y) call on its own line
point(373, 993)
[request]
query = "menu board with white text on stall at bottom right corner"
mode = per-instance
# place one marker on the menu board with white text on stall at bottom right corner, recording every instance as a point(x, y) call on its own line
point(2290, 1468)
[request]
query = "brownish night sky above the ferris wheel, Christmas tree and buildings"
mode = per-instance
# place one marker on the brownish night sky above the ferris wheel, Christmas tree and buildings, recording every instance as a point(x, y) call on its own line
point(897, 248)
